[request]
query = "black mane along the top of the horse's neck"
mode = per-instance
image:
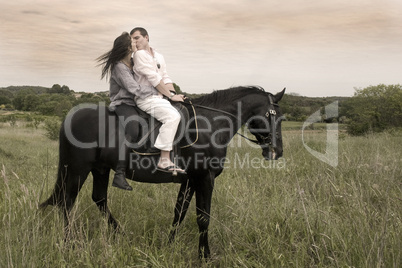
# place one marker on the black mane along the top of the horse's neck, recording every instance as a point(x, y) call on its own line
point(218, 97)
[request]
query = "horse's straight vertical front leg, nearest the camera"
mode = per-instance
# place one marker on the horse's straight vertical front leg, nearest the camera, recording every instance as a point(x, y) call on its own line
point(204, 189)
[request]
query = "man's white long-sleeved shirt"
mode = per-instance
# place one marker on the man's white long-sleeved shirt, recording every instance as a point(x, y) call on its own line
point(150, 71)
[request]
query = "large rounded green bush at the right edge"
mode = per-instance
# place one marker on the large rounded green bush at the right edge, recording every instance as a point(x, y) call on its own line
point(375, 109)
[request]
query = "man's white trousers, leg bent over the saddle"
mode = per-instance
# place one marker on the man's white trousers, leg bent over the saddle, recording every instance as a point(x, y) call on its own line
point(163, 111)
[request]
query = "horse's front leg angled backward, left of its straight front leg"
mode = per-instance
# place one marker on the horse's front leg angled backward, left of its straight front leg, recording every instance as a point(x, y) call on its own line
point(183, 201)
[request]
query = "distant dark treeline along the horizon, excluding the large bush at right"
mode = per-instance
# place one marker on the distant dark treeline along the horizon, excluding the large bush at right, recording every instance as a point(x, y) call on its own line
point(58, 100)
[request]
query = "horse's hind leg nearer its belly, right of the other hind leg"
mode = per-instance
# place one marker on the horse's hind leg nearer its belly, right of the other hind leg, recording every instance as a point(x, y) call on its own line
point(99, 194)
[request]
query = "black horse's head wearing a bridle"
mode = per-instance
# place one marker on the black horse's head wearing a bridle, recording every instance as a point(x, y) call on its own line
point(265, 125)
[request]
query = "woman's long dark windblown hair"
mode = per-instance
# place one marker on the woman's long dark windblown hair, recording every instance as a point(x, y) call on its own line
point(121, 47)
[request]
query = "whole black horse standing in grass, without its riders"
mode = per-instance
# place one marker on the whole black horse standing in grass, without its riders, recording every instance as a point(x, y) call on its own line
point(88, 144)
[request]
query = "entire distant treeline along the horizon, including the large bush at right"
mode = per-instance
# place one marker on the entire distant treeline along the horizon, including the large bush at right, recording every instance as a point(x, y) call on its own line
point(374, 108)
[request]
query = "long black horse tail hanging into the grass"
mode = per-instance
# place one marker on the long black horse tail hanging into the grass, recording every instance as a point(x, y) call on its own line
point(58, 195)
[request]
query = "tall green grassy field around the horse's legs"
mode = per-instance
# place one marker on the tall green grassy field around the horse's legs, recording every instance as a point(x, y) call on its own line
point(297, 212)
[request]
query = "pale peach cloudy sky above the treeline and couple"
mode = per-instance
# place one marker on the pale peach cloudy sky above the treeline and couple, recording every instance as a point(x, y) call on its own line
point(313, 48)
